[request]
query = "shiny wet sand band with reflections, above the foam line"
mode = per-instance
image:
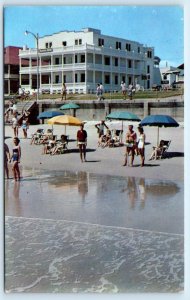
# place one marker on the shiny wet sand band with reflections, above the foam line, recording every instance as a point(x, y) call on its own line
point(80, 196)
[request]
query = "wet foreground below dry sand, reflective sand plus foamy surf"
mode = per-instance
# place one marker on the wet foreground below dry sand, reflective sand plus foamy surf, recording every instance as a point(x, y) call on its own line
point(82, 232)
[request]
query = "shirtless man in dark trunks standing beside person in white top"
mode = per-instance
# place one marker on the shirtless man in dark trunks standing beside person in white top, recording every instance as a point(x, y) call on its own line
point(131, 138)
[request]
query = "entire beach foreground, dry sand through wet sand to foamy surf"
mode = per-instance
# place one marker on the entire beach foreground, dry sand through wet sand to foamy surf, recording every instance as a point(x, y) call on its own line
point(122, 226)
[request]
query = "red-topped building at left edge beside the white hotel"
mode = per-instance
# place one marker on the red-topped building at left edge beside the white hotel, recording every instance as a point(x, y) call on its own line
point(11, 70)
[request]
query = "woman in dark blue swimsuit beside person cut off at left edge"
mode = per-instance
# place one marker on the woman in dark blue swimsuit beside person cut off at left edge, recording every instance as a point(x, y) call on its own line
point(16, 158)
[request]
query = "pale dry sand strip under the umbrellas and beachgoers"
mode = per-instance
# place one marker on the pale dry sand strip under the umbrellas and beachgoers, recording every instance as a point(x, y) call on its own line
point(108, 160)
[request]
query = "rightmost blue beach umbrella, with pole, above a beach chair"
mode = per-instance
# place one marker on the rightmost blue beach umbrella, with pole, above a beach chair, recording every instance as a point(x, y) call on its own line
point(159, 121)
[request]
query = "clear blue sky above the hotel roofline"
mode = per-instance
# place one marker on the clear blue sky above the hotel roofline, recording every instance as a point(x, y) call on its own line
point(158, 26)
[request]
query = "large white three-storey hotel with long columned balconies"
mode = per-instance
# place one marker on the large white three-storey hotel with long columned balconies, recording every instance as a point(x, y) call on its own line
point(83, 59)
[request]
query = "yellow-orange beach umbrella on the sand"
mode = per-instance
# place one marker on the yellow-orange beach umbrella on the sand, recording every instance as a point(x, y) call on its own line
point(65, 120)
